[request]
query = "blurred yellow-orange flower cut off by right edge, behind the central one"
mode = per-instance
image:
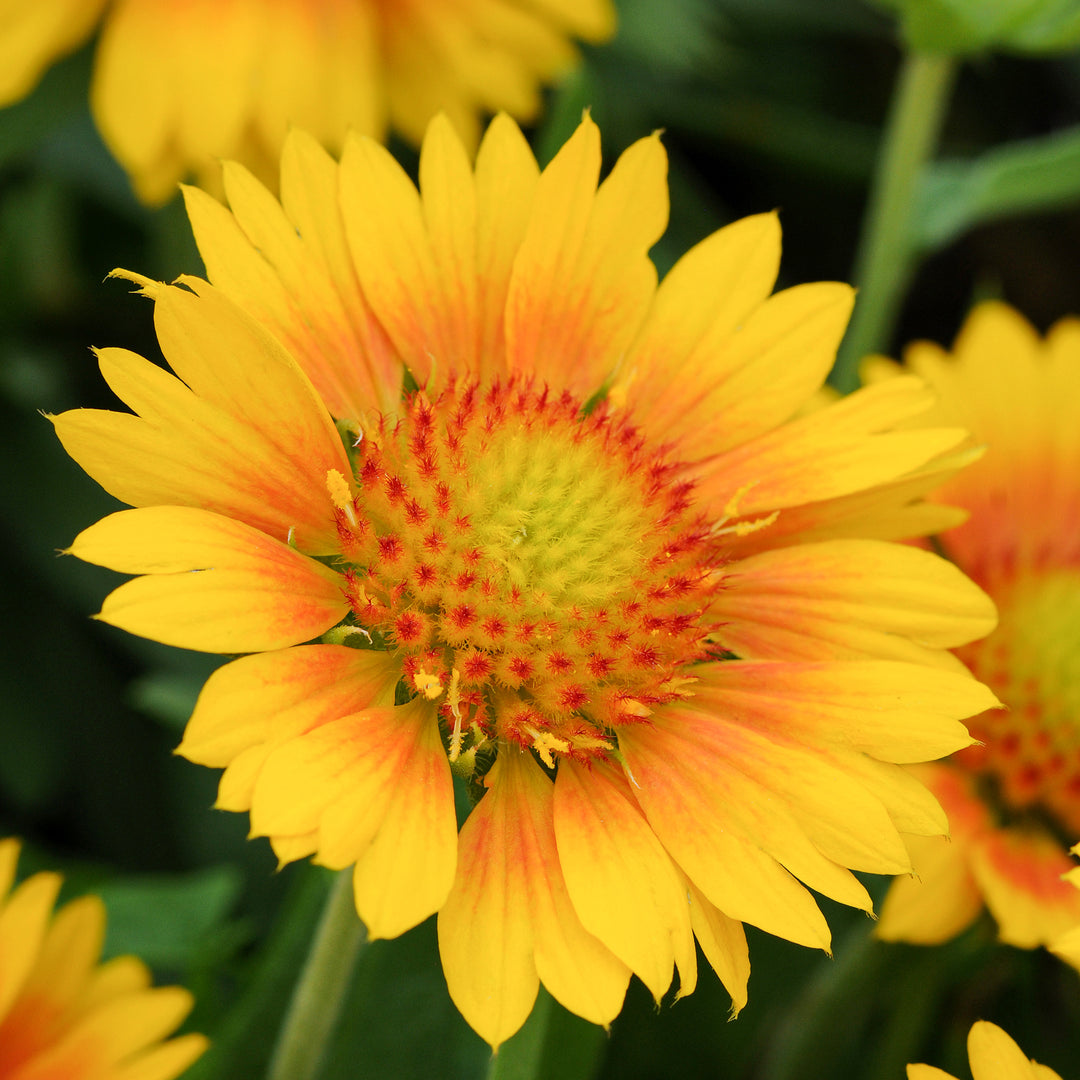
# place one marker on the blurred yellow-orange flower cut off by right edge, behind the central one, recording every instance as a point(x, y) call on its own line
point(1014, 802)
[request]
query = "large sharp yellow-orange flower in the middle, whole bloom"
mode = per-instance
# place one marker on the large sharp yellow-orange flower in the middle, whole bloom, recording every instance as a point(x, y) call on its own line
point(569, 541)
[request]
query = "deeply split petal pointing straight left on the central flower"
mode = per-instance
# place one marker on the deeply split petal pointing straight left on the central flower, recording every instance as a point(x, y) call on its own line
point(212, 584)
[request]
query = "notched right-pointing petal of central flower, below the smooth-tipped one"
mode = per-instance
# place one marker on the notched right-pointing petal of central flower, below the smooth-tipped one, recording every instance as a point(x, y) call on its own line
point(893, 711)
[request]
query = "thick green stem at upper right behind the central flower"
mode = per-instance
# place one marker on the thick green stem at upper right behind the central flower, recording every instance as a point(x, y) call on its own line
point(886, 253)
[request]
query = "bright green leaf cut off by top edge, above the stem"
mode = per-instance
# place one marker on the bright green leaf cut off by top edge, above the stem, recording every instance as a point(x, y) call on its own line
point(958, 28)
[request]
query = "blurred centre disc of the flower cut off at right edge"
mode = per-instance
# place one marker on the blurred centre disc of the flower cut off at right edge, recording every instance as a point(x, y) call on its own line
point(1032, 661)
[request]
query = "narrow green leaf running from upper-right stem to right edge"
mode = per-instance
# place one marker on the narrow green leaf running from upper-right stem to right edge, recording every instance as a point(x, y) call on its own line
point(1019, 179)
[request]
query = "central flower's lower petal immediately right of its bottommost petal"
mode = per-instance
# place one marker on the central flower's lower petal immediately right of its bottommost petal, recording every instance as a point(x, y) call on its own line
point(618, 875)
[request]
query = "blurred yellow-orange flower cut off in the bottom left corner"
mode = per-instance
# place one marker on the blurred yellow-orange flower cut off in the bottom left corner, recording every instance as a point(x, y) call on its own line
point(63, 1015)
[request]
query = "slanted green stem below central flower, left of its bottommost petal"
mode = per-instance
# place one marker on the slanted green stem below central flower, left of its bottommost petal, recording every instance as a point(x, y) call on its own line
point(321, 989)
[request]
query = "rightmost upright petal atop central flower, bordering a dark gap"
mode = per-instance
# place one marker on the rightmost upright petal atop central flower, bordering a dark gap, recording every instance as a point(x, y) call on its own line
point(583, 280)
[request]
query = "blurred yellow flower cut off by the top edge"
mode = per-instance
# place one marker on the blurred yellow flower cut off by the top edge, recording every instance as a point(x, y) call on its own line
point(180, 86)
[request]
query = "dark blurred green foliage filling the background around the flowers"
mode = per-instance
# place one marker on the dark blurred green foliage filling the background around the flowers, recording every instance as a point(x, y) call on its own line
point(764, 104)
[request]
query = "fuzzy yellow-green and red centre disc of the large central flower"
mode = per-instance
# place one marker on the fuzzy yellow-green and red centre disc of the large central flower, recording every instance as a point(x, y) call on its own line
point(541, 572)
